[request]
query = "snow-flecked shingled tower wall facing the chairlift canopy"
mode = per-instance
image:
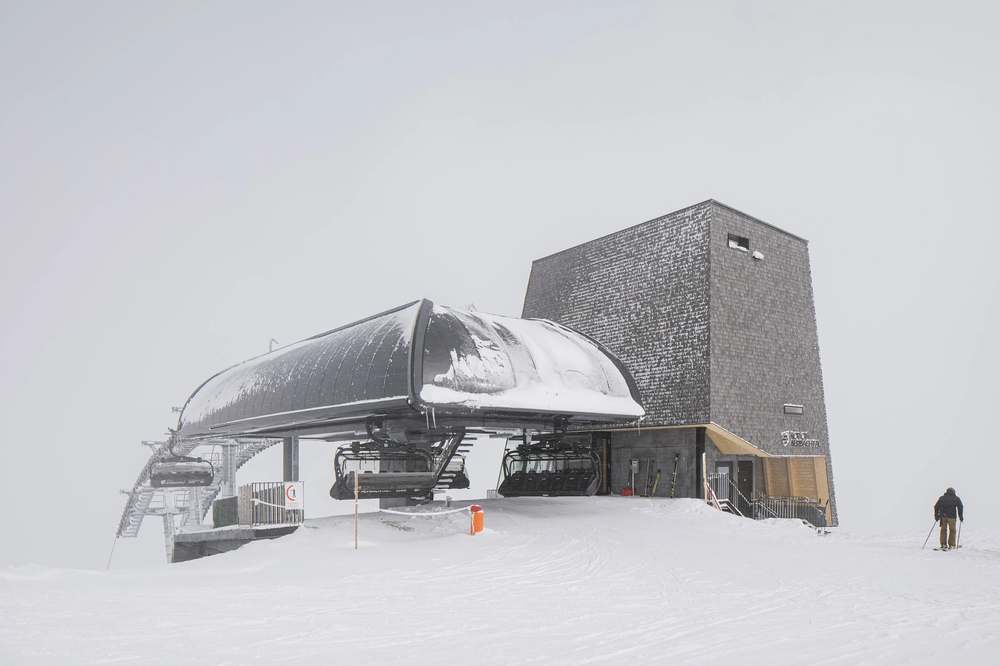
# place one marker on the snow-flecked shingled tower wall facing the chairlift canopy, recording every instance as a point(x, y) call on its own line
point(642, 292)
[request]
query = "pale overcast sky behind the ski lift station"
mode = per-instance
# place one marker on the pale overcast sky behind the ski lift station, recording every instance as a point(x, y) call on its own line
point(181, 182)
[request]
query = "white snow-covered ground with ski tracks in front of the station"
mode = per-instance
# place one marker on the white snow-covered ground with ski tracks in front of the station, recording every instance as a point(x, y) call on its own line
point(550, 581)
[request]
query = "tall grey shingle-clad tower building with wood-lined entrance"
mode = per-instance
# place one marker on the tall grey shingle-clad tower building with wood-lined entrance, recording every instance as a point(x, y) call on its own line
point(712, 311)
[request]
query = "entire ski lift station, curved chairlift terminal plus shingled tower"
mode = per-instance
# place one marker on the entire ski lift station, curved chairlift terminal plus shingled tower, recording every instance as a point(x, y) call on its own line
point(676, 358)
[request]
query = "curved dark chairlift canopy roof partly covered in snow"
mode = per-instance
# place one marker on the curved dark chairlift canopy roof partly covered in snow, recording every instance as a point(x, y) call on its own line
point(472, 366)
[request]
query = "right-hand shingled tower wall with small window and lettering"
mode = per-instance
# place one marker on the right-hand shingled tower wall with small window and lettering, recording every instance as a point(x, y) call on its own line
point(764, 345)
